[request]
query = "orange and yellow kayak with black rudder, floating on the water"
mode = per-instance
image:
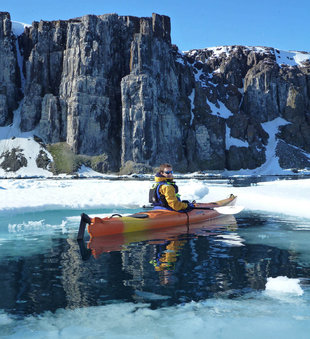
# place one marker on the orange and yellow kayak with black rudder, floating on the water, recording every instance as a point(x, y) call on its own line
point(154, 219)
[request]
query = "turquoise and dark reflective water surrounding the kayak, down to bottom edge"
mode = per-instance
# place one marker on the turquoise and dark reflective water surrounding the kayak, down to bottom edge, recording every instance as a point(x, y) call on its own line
point(209, 280)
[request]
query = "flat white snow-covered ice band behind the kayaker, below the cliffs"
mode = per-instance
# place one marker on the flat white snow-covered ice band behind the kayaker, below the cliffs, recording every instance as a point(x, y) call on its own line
point(286, 196)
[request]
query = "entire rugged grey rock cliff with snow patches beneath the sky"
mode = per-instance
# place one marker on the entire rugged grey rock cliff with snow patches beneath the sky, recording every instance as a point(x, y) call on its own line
point(116, 94)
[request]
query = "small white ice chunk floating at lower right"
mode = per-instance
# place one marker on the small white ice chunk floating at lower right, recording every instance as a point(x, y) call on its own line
point(284, 285)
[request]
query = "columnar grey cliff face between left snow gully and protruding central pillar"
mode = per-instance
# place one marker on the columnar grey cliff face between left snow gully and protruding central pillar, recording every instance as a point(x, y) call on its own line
point(74, 71)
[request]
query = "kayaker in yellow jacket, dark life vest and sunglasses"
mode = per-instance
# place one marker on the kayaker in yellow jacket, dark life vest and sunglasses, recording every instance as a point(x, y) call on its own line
point(164, 193)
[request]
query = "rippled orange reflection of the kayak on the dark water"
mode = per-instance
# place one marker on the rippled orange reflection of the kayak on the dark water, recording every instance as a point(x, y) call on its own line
point(118, 242)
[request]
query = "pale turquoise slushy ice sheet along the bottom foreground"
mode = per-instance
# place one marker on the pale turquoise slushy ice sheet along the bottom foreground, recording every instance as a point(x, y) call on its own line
point(254, 316)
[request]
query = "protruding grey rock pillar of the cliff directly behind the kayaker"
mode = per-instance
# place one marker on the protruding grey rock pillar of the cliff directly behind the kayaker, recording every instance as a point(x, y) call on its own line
point(152, 116)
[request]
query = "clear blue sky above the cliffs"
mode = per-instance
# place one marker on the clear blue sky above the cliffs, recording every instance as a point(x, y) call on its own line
point(194, 24)
